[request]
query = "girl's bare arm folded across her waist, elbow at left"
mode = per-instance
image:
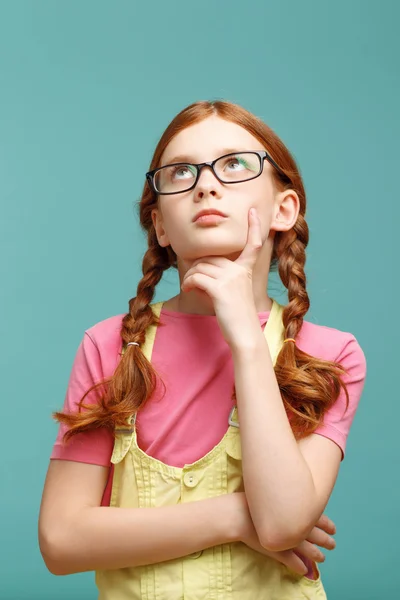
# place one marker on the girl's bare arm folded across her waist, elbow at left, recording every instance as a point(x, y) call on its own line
point(76, 534)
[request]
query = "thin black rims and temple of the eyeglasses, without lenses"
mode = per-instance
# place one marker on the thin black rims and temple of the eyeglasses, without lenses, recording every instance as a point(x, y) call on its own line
point(262, 155)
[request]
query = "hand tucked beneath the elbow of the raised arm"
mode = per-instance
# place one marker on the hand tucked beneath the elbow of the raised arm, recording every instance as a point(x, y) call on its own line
point(290, 558)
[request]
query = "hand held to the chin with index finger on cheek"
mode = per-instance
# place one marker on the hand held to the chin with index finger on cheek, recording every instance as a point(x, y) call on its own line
point(229, 285)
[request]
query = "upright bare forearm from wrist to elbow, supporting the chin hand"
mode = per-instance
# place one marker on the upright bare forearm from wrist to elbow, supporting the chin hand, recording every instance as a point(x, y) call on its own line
point(279, 486)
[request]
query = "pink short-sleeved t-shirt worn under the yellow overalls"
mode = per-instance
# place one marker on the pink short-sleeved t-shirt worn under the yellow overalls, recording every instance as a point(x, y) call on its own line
point(195, 363)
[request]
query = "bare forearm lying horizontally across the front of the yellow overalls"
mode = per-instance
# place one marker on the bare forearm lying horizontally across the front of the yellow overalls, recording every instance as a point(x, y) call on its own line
point(113, 538)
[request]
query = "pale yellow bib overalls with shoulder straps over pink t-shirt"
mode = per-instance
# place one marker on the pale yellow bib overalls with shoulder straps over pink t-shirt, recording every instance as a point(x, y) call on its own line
point(224, 572)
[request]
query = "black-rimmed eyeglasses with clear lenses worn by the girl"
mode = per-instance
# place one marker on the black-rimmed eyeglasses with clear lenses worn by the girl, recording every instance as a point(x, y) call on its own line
point(230, 168)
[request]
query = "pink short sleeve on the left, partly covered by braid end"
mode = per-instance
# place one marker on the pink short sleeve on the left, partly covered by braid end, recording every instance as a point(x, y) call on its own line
point(94, 447)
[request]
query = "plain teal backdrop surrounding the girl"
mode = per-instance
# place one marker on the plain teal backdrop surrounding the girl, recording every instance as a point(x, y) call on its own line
point(87, 87)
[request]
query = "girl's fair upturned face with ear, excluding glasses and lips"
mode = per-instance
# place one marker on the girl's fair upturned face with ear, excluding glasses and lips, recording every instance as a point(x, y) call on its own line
point(173, 219)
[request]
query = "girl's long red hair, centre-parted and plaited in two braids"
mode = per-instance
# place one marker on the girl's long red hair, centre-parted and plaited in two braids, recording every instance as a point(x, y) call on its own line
point(309, 386)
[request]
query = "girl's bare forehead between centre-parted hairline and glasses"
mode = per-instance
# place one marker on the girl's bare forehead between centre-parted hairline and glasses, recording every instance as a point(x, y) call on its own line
point(207, 140)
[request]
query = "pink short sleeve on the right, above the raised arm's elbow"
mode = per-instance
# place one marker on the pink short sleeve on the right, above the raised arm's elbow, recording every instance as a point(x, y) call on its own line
point(338, 420)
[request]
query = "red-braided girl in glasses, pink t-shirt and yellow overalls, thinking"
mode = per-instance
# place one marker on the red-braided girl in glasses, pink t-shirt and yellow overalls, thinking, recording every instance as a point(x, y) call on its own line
point(202, 436)
